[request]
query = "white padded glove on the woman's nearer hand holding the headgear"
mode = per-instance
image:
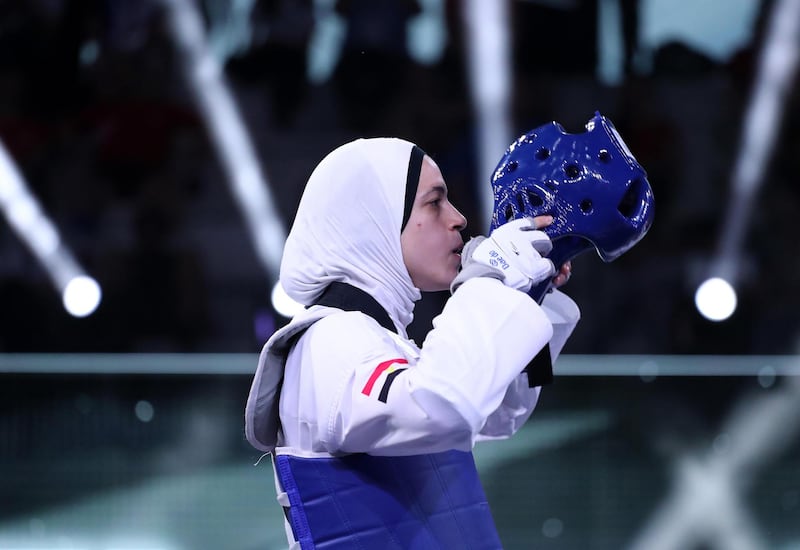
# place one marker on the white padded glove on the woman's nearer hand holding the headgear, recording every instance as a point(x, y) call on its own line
point(514, 253)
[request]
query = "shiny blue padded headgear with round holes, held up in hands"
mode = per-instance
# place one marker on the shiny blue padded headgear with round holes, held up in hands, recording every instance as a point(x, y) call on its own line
point(590, 183)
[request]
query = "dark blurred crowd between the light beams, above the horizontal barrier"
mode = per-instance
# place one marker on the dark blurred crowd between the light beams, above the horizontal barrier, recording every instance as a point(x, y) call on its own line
point(97, 113)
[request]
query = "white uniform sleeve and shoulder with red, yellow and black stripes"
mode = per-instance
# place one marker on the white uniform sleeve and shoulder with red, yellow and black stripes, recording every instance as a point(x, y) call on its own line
point(362, 390)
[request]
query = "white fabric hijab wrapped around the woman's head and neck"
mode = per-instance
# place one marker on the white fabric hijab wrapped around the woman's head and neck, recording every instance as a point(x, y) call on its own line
point(348, 225)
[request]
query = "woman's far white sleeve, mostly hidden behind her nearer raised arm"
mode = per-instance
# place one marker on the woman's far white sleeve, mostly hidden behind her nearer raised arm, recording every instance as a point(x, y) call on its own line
point(520, 399)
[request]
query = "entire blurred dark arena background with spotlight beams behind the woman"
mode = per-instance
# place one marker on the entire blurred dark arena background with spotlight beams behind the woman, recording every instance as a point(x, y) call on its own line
point(152, 155)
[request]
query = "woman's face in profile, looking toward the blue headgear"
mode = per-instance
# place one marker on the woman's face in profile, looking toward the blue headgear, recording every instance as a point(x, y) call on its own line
point(431, 241)
